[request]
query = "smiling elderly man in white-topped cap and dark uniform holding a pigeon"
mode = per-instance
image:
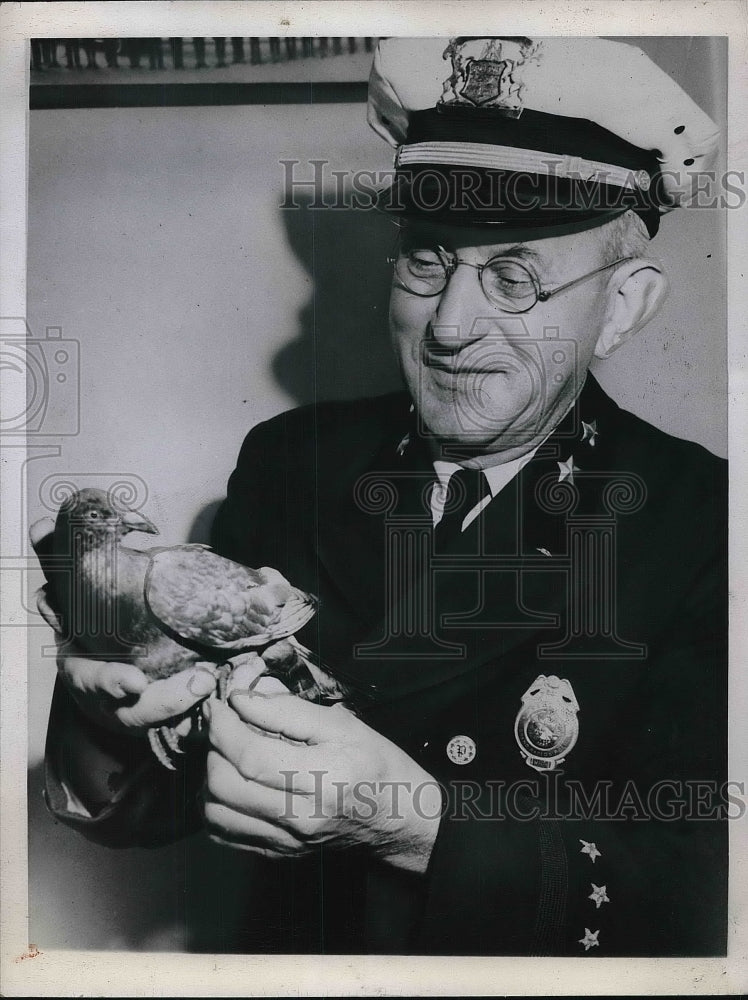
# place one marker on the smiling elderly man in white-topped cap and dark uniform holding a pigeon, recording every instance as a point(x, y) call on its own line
point(522, 585)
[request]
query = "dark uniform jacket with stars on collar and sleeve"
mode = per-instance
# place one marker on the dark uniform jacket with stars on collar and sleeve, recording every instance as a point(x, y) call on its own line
point(560, 670)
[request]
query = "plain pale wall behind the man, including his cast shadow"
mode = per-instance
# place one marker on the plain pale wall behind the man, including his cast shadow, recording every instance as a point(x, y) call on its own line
point(157, 242)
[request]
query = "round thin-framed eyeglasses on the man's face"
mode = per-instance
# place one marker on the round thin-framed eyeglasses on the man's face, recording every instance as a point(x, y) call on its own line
point(507, 282)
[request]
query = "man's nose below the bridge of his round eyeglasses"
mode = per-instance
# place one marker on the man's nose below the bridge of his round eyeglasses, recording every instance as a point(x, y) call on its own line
point(462, 314)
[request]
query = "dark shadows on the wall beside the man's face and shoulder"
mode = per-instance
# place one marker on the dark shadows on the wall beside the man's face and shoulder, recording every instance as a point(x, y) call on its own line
point(343, 349)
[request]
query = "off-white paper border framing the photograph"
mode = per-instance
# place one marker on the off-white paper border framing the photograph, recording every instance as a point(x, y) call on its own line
point(71, 973)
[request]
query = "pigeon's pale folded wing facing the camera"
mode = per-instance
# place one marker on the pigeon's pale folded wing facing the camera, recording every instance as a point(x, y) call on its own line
point(221, 604)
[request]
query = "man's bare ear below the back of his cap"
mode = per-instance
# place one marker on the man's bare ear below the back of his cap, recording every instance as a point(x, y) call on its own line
point(636, 291)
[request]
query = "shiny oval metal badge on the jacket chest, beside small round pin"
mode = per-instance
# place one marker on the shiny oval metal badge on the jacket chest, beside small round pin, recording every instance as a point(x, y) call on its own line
point(546, 727)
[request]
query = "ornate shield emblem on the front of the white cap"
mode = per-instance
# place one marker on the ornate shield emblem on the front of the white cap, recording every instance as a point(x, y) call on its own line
point(487, 73)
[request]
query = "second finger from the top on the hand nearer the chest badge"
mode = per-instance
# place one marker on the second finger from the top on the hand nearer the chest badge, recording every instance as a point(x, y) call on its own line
point(256, 757)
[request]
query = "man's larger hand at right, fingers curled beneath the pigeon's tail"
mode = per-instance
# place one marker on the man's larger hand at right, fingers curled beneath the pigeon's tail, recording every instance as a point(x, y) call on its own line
point(285, 776)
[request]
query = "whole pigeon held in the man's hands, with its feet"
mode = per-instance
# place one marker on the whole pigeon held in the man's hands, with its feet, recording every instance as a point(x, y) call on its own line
point(164, 609)
